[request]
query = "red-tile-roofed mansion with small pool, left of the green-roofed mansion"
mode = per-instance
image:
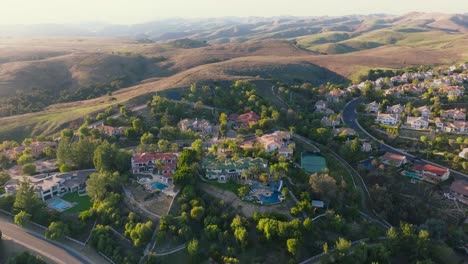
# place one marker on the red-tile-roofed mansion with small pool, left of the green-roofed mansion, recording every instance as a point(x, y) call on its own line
point(162, 164)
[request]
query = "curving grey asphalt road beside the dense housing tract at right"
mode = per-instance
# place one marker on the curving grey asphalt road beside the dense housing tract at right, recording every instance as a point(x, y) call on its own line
point(350, 119)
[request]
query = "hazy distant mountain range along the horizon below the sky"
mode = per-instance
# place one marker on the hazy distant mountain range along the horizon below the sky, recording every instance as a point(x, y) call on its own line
point(235, 30)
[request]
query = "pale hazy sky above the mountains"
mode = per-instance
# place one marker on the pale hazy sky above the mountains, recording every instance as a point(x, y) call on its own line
point(138, 11)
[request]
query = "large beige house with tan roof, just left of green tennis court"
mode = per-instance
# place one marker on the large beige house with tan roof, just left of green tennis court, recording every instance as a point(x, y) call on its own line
point(278, 140)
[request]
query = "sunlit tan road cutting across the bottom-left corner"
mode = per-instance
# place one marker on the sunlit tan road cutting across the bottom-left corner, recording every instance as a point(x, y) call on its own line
point(33, 242)
